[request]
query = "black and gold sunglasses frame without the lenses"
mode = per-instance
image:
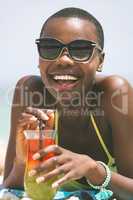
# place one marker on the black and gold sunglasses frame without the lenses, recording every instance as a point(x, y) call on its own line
point(65, 46)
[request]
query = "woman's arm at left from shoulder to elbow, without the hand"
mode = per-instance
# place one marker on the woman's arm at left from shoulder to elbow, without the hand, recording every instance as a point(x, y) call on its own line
point(14, 170)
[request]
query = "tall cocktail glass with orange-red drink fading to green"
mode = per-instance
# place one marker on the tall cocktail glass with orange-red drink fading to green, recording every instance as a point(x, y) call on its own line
point(36, 140)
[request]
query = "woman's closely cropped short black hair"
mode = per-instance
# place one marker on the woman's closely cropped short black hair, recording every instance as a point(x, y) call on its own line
point(82, 14)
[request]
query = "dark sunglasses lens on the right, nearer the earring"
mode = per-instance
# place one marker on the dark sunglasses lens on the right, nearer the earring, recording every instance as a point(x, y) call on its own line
point(81, 50)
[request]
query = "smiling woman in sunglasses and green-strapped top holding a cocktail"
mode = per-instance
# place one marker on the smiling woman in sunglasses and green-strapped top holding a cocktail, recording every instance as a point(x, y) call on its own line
point(70, 52)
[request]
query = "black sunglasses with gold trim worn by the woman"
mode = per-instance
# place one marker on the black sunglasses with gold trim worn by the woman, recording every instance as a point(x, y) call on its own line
point(79, 50)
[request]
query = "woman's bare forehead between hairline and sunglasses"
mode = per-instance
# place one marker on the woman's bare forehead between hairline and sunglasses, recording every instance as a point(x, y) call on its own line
point(68, 29)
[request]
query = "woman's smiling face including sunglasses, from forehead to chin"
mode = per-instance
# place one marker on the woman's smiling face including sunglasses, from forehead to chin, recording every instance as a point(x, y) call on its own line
point(68, 52)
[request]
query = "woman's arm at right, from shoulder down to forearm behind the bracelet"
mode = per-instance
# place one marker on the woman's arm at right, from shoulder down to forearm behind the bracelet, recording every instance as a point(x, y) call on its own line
point(119, 109)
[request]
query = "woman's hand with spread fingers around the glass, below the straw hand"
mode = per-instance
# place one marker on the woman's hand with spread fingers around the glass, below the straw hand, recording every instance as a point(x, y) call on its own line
point(71, 166)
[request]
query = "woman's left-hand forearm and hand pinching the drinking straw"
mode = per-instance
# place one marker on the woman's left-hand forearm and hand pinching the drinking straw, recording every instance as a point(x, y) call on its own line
point(28, 121)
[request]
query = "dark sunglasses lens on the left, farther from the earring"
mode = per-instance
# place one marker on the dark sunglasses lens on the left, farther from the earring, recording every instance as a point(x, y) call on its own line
point(49, 48)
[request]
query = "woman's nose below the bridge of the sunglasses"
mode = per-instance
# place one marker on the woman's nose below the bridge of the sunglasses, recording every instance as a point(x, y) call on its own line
point(64, 58)
